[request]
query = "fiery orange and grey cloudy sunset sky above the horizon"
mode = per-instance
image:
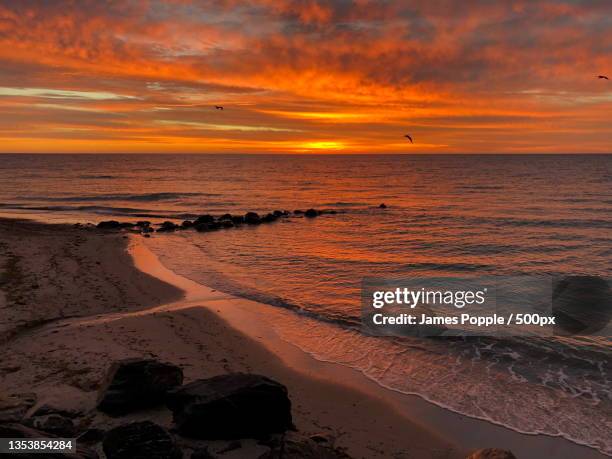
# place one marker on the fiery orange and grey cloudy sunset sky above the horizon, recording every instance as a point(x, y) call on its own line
point(305, 76)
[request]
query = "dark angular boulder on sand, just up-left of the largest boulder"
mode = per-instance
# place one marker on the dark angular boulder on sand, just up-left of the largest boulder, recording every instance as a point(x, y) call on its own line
point(133, 384)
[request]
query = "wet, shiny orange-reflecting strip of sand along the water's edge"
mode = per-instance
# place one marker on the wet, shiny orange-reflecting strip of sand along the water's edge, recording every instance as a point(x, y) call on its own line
point(466, 432)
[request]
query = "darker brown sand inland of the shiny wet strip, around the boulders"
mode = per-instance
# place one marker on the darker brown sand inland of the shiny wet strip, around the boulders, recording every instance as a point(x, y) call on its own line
point(91, 307)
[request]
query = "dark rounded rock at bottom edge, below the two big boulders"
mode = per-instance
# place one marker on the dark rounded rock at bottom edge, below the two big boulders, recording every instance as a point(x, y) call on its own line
point(140, 440)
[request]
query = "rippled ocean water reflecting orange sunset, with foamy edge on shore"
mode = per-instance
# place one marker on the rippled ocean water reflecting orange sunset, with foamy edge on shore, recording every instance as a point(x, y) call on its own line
point(447, 216)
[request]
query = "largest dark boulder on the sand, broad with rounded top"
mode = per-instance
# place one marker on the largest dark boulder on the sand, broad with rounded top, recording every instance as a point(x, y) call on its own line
point(231, 406)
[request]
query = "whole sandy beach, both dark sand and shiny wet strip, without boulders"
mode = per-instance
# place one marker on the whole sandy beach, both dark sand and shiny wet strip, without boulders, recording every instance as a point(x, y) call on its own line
point(76, 300)
